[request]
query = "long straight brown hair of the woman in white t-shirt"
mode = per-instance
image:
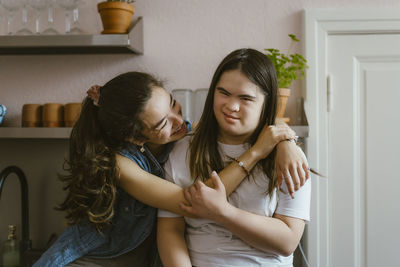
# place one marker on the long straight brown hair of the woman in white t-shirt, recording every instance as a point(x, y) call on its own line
point(204, 154)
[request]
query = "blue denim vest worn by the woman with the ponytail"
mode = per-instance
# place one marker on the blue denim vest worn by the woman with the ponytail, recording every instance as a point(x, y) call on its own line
point(131, 224)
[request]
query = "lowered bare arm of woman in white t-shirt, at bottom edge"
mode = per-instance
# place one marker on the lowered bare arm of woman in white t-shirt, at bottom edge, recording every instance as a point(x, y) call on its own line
point(171, 242)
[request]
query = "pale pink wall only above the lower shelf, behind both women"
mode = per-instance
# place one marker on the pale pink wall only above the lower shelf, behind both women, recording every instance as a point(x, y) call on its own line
point(183, 40)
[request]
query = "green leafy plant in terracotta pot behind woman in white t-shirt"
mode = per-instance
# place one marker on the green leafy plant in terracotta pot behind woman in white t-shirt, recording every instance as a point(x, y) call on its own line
point(288, 67)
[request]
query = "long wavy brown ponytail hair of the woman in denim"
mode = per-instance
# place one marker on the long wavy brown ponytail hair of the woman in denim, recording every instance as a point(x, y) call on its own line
point(100, 132)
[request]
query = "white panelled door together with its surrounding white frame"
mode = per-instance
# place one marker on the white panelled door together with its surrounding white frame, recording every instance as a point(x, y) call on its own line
point(353, 108)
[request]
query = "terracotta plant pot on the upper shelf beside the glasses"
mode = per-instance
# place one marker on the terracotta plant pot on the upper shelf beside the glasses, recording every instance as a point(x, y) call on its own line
point(115, 16)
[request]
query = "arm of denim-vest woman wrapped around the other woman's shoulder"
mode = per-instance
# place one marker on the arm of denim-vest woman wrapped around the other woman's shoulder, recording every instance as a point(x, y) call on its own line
point(159, 193)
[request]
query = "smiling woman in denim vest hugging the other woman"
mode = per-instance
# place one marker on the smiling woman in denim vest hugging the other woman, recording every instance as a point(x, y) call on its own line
point(124, 134)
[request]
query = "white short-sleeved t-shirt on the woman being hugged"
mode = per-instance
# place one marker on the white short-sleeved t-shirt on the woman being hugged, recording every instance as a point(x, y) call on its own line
point(209, 243)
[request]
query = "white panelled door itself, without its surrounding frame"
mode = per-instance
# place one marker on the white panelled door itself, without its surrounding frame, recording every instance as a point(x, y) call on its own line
point(363, 149)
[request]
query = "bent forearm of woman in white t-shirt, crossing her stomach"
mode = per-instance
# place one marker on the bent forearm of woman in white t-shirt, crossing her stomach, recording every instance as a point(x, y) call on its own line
point(264, 233)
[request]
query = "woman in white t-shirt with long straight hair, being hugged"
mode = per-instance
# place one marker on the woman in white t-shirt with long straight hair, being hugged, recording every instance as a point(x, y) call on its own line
point(259, 224)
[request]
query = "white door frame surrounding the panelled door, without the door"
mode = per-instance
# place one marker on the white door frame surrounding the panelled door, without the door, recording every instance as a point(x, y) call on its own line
point(318, 24)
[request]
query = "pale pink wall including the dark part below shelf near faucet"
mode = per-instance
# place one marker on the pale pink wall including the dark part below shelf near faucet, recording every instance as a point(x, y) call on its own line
point(183, 40)
